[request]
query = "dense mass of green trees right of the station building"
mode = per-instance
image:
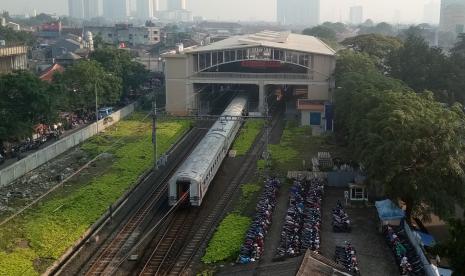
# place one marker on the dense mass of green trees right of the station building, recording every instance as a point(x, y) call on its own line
point(406, 140)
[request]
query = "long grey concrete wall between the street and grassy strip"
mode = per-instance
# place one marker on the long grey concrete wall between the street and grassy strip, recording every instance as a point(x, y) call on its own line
point(32, 161)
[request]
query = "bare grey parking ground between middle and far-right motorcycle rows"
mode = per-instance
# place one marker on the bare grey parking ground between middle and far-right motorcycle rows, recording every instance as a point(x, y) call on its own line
point(375, 257)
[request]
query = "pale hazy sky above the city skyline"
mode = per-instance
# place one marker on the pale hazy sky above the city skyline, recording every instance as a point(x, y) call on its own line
point(409, 11)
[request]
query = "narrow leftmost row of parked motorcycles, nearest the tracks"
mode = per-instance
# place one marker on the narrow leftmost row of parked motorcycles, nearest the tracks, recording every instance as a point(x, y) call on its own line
point(252, 249)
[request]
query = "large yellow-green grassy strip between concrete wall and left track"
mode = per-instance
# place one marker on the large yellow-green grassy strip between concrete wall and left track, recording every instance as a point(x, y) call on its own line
point(30, 243)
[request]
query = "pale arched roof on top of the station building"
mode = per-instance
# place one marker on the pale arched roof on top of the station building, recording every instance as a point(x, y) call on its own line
point(280, 40)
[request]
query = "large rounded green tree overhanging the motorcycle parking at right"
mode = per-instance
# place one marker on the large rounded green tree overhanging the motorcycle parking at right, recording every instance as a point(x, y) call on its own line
point(413, 145)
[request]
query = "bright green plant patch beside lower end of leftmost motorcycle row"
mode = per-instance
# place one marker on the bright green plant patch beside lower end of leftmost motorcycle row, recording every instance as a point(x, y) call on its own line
point(227, 240)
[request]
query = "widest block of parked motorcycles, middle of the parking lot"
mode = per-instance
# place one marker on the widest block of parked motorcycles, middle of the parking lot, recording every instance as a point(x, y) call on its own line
point(302, 226)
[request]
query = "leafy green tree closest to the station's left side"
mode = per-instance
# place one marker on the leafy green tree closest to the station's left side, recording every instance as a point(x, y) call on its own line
point(120, 63)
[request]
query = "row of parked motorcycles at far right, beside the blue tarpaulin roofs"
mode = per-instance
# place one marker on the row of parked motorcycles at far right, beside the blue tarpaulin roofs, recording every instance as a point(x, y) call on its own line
point(406, 257)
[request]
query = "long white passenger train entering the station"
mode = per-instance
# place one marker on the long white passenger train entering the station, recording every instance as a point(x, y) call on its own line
point(198, 170)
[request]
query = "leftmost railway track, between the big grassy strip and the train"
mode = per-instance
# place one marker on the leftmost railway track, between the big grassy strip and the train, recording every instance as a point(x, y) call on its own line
point(111, 253)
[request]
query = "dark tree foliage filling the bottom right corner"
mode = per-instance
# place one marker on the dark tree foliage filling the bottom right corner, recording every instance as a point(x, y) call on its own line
point(453, 248)
